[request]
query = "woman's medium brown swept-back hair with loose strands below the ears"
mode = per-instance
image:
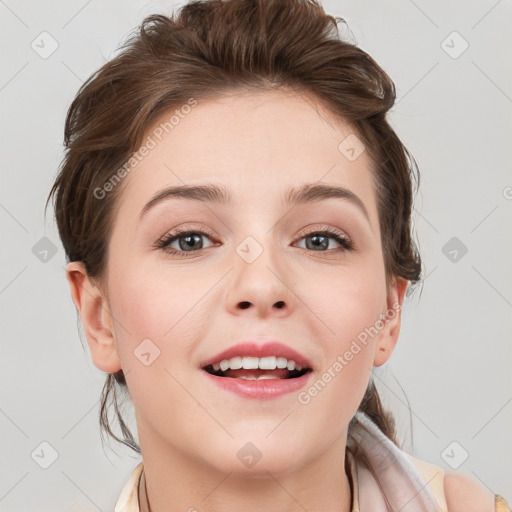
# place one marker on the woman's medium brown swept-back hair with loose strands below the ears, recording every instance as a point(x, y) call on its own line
point(207, 49)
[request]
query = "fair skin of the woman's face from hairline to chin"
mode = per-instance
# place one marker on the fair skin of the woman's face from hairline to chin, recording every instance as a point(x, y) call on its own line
point(254, 271)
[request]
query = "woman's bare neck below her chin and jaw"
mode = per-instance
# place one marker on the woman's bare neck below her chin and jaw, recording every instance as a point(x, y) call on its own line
point(169, 477)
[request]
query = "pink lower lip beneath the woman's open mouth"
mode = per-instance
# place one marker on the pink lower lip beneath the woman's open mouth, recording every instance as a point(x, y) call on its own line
point(261, 389)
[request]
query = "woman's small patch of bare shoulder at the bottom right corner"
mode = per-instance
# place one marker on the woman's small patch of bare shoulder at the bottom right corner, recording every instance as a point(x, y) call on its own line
point(465, 494)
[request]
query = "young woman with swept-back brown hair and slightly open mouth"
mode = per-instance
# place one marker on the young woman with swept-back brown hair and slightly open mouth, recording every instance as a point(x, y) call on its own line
point(235, 210)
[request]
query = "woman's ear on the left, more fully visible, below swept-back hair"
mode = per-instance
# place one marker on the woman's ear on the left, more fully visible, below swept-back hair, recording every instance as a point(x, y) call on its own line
point(92, 306)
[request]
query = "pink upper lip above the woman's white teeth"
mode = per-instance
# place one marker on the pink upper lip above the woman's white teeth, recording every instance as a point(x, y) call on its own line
point(253, 349)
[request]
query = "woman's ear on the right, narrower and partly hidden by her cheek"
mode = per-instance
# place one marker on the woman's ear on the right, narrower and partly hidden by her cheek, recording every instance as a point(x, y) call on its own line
point(391, 318)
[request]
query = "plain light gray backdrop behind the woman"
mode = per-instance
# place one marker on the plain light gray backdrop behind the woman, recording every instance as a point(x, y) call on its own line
point(449, 377)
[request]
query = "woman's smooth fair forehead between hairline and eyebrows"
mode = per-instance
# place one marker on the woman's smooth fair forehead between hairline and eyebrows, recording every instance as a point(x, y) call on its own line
point(257, 144)
